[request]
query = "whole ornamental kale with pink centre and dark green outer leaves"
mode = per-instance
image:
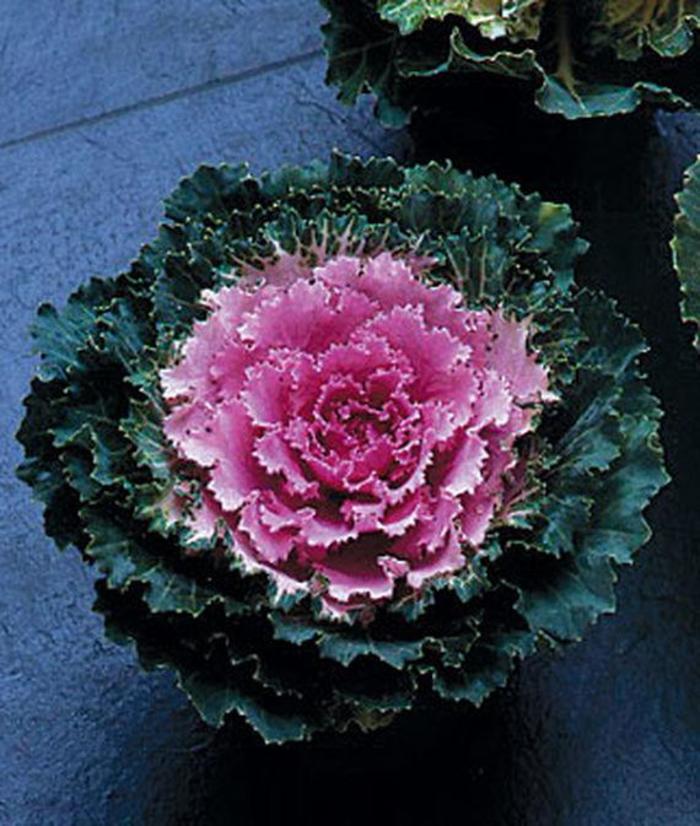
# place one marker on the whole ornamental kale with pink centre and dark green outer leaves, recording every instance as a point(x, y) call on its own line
point(345, 437)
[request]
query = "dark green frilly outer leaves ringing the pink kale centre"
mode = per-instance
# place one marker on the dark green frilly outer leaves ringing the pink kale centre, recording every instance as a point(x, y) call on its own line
point(98, 458)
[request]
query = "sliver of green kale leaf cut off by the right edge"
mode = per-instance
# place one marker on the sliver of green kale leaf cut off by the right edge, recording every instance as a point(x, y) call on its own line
point(686, 247)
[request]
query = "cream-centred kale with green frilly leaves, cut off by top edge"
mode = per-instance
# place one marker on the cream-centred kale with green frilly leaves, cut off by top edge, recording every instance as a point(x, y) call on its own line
point(580, 59)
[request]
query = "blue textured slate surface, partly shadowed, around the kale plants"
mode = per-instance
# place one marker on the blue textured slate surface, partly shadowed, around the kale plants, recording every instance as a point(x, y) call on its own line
point(103, 106)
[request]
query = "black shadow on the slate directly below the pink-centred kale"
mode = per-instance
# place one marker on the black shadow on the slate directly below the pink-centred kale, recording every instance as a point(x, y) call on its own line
point(424, 768)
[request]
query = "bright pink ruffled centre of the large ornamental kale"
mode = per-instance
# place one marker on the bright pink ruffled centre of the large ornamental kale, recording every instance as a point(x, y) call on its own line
point(351, 430)
